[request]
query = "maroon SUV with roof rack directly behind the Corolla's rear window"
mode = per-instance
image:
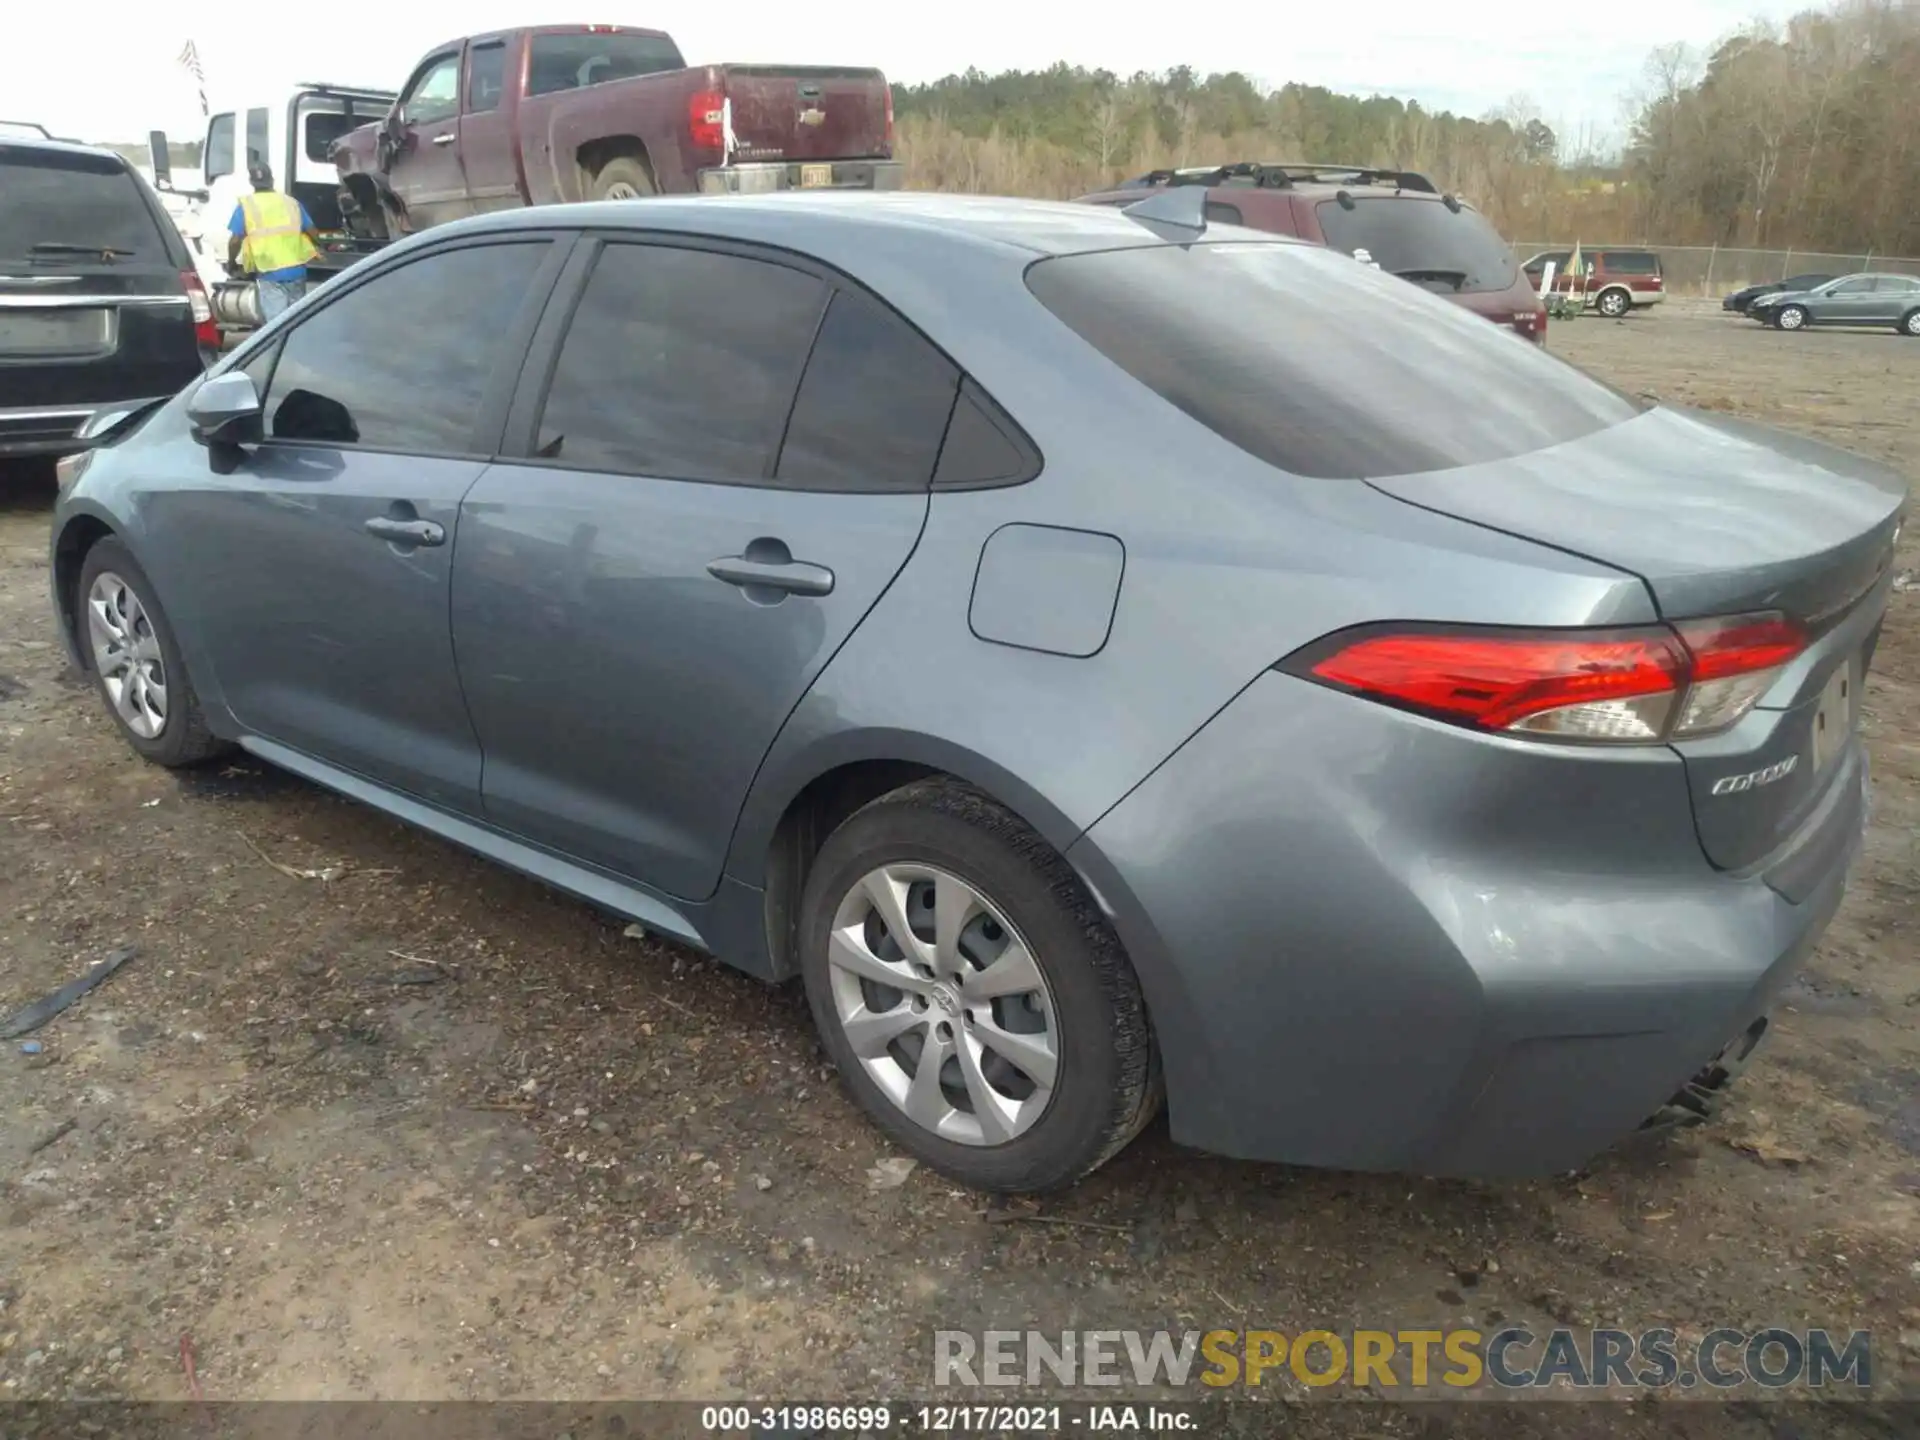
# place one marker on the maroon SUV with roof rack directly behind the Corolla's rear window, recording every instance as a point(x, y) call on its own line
point(1395, 220)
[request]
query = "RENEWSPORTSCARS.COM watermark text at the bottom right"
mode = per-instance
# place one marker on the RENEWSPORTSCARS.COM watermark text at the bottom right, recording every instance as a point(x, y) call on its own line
point(1449, 1360)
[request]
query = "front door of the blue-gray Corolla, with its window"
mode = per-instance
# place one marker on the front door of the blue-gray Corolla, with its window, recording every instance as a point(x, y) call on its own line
point(320, 575)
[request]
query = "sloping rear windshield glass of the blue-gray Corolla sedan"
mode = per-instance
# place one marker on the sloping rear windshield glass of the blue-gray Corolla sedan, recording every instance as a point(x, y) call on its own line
point(1320, 366)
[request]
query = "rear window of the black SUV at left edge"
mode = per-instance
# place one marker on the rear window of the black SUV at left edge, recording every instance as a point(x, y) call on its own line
point(74, 201)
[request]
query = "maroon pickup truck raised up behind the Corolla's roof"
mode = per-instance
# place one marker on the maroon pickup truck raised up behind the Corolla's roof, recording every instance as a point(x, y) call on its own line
point(606, 112)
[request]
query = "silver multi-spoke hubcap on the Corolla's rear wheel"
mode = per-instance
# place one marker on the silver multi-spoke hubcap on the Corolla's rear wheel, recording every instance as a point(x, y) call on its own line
point(944, 1003)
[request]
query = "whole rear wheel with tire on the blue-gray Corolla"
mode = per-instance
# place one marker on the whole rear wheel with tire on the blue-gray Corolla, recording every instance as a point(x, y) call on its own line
point(976, 1003)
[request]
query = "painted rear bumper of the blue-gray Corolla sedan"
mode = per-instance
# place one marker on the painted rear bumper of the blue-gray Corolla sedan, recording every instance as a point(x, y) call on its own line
point(1374, 942)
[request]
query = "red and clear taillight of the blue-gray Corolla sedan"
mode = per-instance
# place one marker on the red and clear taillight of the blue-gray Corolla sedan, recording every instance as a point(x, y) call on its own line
point(1625, 686)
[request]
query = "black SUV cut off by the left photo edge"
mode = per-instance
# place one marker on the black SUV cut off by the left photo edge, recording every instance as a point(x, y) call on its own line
point(101, 308)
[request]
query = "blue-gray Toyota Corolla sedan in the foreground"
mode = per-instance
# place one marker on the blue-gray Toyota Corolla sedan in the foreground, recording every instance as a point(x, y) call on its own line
point(1105, 660)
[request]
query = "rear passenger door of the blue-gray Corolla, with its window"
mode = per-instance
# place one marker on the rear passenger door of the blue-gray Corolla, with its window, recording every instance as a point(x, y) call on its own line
point(646, 596)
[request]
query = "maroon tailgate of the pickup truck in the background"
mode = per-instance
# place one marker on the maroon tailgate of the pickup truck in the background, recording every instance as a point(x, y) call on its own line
point(809, 112)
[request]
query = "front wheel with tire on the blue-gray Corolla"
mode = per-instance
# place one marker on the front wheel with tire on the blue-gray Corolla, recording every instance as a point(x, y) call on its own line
point(137, 663)
